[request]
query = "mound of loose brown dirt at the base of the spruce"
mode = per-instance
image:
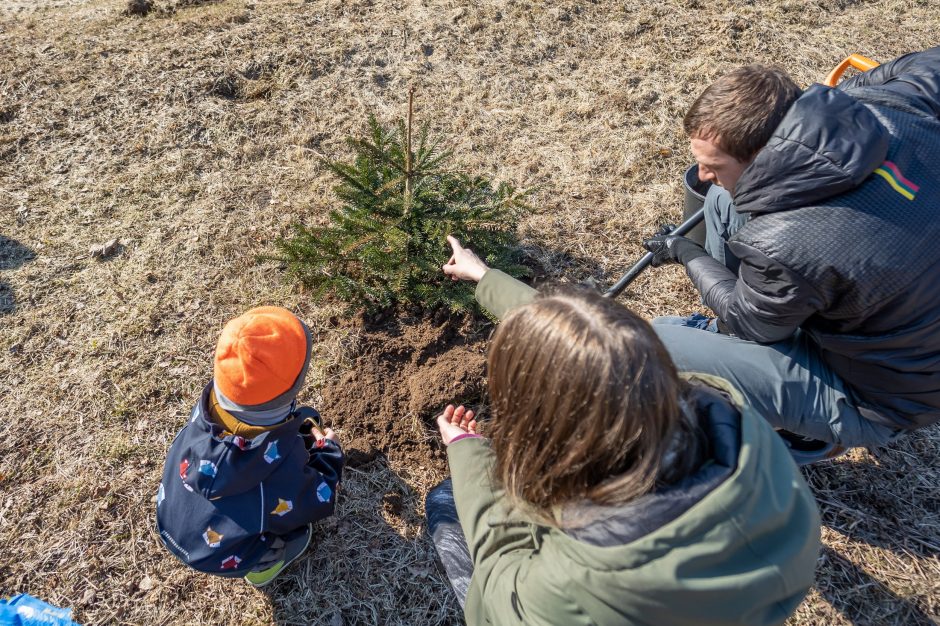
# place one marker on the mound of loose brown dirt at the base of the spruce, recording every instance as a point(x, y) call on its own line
point(402, 377)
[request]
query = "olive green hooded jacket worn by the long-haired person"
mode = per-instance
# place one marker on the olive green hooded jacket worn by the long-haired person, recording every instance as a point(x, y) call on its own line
point(743, 553)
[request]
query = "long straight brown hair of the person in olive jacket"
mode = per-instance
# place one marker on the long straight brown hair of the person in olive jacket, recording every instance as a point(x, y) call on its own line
point(586, 402)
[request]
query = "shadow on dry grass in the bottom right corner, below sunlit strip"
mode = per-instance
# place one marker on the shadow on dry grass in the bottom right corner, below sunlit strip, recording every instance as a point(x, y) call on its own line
point(862, 599)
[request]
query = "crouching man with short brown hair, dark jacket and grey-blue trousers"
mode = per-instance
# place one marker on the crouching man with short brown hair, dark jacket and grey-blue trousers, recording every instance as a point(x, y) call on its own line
point(823, 250)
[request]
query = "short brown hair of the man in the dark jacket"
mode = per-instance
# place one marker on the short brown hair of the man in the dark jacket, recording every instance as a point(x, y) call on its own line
point(741, 110)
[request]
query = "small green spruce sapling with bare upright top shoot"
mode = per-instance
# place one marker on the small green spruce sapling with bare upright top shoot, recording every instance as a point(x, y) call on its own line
point(385, 244)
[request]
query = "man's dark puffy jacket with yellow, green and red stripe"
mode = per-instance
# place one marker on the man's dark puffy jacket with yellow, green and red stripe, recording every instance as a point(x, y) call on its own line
point(843, 238)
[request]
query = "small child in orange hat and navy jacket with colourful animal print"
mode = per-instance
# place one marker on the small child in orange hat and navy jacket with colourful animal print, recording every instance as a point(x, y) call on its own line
point(249, 473)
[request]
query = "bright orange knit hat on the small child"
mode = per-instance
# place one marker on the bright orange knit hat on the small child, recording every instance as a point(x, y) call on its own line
point(262, 357)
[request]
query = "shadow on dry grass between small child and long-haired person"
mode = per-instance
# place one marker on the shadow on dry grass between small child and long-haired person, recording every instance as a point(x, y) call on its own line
point(372, 563)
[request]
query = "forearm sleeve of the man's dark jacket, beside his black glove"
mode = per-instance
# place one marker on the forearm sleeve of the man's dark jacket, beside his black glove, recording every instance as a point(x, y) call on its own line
point(766, 302)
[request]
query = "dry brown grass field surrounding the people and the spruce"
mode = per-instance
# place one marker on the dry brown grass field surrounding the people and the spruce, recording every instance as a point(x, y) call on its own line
point(192, 135)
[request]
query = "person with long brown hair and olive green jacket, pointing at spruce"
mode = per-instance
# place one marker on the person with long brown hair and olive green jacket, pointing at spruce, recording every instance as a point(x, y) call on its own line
point(611, 490)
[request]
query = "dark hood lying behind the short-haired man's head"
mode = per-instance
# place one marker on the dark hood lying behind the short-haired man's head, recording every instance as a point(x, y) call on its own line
point(827, 144)
